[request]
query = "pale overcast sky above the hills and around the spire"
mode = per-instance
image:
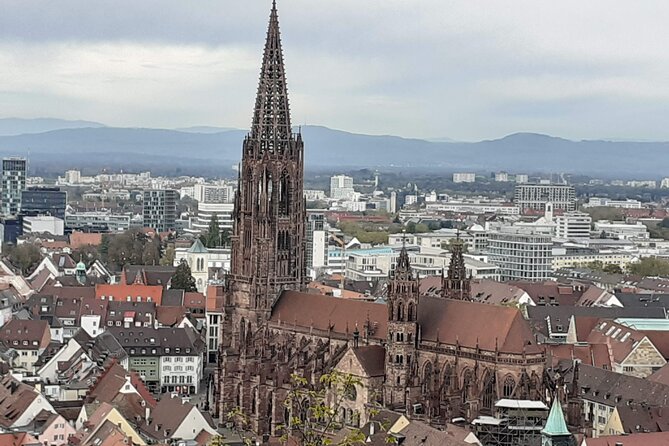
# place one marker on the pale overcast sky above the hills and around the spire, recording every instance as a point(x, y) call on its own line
point(467, 69)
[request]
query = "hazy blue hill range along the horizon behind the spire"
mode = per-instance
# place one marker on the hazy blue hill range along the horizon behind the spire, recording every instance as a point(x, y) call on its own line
point(212, 152)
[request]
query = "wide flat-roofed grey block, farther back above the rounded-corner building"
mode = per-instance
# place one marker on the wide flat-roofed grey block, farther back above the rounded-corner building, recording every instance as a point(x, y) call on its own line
point(535, 196)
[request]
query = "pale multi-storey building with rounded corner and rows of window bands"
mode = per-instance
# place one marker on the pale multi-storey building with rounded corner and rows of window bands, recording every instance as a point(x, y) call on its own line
point(520, 255)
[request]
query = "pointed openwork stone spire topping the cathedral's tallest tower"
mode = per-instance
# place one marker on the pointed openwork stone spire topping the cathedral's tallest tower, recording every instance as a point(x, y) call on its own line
point(271, 117)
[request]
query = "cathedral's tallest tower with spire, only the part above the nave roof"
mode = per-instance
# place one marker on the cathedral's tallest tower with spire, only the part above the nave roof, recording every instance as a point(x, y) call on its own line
point(268, 243)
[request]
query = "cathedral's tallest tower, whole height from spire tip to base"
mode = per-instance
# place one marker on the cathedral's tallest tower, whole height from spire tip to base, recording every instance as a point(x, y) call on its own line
point(268, 242)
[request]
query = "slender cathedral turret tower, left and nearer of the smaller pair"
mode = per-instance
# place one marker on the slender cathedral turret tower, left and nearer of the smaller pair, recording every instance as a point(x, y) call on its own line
point(401, 361)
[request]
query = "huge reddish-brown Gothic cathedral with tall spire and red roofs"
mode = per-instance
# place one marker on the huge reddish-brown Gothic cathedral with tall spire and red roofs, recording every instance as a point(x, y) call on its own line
point(434, 357)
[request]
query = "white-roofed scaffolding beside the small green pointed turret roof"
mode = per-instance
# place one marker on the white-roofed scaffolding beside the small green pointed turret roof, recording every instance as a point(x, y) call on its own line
point(516, 423)
